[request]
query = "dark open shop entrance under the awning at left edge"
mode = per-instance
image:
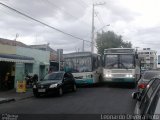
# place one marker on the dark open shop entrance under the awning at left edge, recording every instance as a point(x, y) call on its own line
point(7, 75)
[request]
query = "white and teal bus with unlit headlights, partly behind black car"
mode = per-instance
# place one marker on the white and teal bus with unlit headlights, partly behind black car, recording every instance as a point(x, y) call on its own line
point(85, 66)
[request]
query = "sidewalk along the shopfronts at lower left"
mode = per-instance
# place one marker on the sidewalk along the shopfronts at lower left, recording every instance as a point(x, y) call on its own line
point(12, 95)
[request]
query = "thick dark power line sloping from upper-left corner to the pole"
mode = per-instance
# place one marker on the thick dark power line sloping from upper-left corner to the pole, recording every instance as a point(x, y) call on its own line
point(43, 23)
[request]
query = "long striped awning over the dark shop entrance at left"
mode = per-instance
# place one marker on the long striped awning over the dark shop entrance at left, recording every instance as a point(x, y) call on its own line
point(16, 58)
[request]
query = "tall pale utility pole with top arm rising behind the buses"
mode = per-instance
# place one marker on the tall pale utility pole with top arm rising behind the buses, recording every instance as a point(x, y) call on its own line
point(92, 43)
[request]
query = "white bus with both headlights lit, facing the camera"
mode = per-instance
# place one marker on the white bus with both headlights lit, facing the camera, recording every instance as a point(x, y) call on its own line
point(121, 65)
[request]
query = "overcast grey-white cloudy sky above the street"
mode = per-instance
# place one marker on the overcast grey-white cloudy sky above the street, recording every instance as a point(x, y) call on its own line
point(137, 21)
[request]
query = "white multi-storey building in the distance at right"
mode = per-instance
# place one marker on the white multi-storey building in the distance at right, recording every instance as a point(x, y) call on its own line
point(148, 58)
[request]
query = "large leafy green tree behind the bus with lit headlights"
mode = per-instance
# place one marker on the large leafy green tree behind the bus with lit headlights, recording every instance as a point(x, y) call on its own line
point(109, 39)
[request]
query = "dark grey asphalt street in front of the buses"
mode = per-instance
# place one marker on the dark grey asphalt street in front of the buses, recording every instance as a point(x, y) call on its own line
point(92, 100)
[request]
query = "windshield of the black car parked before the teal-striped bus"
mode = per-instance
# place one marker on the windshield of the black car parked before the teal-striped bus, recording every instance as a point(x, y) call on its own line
point(54, 76)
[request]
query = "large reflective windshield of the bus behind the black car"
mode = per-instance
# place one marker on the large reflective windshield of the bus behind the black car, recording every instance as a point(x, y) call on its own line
point(78, 64)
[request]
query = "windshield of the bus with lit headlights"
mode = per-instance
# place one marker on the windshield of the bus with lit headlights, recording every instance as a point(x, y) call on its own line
point(121, 61)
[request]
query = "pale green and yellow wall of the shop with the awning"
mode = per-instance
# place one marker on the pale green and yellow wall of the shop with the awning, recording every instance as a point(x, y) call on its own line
point(41, 59)
